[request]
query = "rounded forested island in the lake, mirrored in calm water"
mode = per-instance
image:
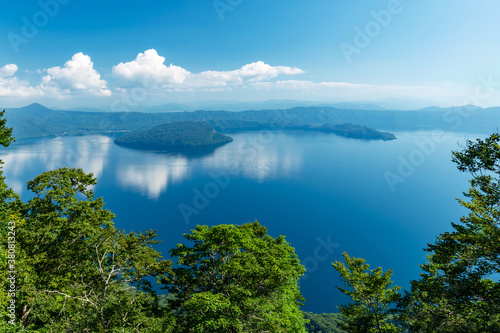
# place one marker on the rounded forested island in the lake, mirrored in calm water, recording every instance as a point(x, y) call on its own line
point(176, 136)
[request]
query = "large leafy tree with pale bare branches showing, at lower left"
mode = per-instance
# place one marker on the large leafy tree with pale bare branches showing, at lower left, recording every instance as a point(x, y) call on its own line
point(79, 273)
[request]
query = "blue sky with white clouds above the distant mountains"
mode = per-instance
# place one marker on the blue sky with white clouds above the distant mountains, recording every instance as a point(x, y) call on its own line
point(119, 55)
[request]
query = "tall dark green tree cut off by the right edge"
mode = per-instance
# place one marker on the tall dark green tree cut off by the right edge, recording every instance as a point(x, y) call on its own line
point(459, 289)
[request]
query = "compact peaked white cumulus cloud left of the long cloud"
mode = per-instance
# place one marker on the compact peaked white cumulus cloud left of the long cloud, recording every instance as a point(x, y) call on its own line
point(78, 74)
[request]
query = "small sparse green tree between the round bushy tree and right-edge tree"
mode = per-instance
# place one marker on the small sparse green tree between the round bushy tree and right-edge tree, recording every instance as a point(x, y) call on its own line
point(373, 298)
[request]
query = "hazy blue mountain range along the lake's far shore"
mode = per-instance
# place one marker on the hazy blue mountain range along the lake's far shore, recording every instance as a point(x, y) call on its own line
point(37, 120)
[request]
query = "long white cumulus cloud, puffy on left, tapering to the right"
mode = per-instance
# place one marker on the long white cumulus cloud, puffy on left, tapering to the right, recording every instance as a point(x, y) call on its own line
point(149, 70)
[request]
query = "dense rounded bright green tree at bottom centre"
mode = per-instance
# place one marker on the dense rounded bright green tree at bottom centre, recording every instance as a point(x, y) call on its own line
point(236, 279)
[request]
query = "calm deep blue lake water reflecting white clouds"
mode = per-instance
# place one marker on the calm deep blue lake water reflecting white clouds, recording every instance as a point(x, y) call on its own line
point(383, 201)
